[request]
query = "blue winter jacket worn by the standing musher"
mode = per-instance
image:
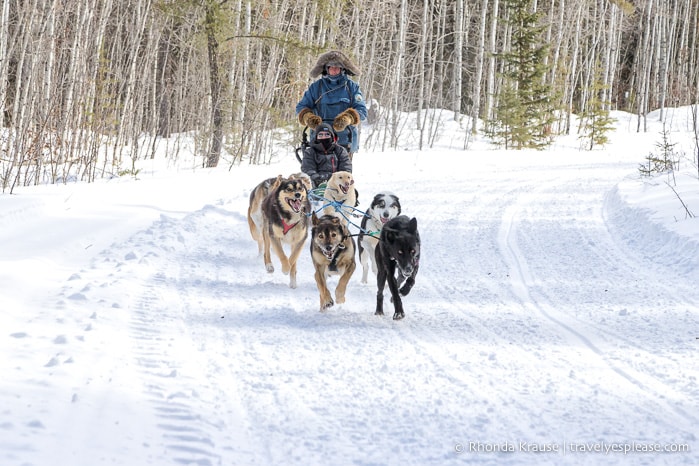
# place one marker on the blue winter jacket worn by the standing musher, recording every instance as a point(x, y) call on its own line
point(329, 96)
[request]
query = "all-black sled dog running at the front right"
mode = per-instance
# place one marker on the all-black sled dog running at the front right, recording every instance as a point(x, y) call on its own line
point(398, 260)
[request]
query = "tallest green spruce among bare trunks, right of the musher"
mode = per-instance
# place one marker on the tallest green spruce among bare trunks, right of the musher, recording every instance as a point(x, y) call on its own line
point(524, 113)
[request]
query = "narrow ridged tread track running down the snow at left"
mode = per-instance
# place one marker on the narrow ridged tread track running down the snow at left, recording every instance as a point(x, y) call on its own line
point(157, 340)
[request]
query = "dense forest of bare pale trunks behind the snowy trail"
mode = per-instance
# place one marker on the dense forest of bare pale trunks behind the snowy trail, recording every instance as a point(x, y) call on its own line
point(89, 86)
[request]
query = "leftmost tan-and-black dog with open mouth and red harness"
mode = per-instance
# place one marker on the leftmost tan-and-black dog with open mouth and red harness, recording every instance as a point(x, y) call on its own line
point(284, 221)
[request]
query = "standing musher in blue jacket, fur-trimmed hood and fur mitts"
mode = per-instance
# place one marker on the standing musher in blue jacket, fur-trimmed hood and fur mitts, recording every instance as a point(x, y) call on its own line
point(335, 99)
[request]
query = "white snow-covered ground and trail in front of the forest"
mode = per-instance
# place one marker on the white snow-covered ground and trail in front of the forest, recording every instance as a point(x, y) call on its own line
point(556, 309)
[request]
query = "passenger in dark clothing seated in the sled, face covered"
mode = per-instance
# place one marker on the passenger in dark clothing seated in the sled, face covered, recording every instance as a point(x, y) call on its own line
point(324, 156)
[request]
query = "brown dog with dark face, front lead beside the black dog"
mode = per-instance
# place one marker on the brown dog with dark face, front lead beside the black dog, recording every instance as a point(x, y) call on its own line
point(332, 251)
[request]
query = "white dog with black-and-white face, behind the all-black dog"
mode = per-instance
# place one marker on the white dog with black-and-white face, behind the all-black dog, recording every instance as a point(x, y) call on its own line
point(383, 208)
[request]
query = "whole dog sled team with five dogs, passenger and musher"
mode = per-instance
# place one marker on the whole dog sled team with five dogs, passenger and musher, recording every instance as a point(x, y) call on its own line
point(322, 200)
